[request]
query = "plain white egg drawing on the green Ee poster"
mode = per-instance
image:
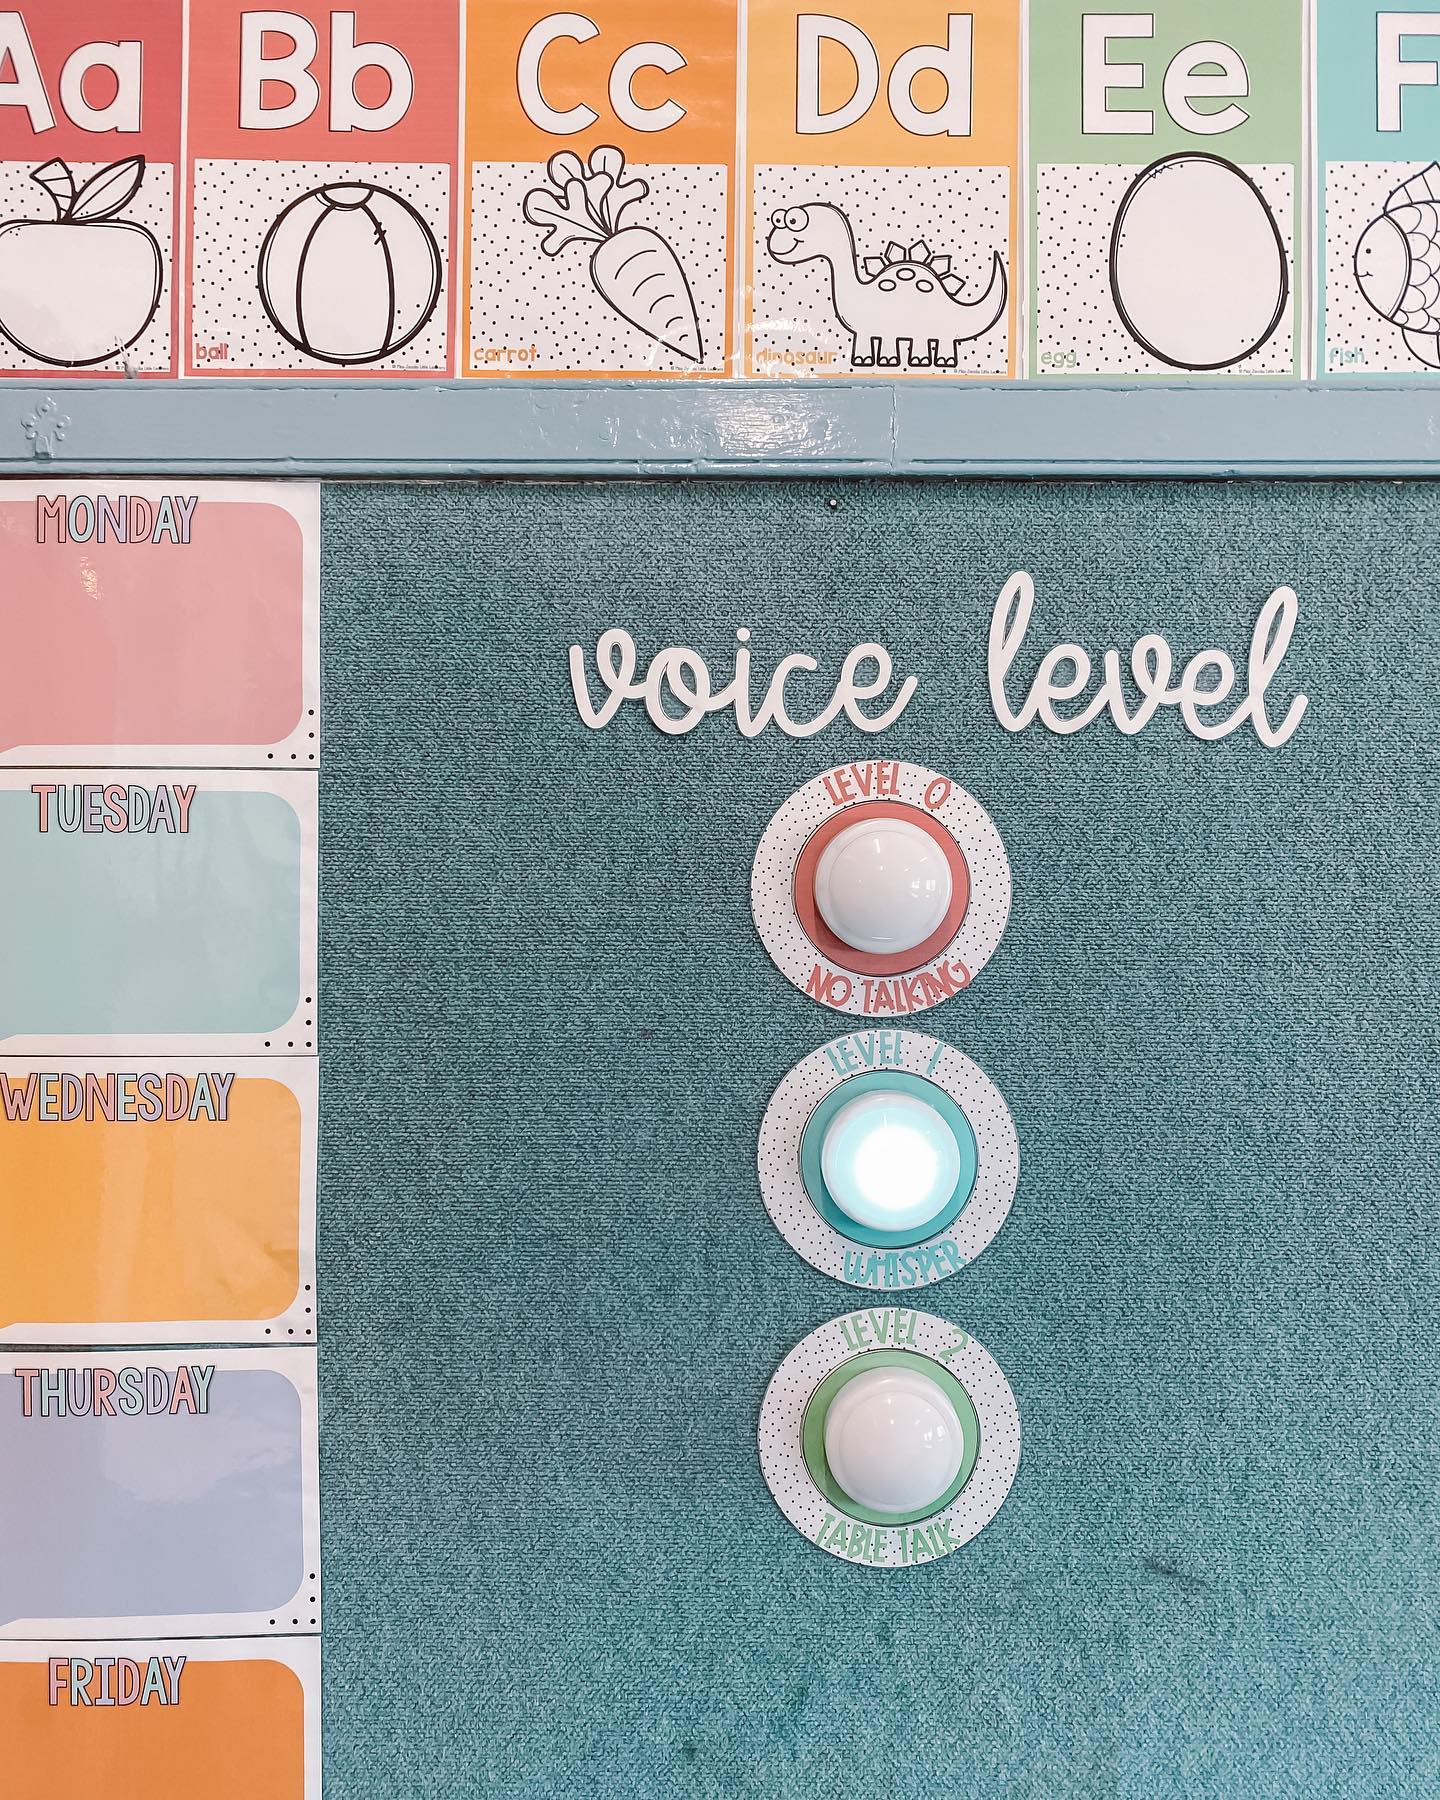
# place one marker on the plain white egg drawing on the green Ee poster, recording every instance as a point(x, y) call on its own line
point(1198, 265)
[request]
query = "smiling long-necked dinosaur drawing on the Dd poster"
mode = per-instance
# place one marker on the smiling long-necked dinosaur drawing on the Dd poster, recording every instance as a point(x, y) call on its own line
point(901, 307)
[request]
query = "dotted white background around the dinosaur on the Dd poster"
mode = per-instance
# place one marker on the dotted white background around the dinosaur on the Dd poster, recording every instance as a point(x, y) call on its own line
point(958, 213)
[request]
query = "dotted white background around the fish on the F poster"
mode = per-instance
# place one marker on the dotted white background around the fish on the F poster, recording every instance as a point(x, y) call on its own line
point(1358, 339)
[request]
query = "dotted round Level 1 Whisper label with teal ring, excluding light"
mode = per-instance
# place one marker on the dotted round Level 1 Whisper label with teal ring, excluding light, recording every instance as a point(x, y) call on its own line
point(953, 1086)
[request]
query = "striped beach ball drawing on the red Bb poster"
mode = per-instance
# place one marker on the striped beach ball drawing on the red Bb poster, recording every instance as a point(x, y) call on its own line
point(350, 273)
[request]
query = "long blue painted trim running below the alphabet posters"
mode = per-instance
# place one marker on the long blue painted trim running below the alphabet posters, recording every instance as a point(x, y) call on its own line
point(1018, 429)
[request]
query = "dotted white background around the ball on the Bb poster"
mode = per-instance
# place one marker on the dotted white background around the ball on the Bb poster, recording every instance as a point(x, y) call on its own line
point(237, 204)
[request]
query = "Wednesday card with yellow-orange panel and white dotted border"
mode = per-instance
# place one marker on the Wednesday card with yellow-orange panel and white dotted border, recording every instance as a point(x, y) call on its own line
point(163, 1203)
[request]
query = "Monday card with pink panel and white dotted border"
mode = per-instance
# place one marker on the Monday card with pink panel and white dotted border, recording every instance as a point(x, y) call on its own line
point(148, 622)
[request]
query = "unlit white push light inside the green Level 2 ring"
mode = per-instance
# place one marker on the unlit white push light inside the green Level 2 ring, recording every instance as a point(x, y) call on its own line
point(894, 1441)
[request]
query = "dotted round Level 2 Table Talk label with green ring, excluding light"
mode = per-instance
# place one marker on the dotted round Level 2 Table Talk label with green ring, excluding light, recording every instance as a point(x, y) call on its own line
point(793, 1435)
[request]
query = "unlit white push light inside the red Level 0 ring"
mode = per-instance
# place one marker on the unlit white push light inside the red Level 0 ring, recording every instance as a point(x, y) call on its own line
point(883, 886)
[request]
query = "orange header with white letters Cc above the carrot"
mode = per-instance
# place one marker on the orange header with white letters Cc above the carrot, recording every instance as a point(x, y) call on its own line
point(656, 80)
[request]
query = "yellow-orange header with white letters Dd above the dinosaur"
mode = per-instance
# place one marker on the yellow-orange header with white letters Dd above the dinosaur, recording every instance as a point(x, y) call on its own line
point(892, 84)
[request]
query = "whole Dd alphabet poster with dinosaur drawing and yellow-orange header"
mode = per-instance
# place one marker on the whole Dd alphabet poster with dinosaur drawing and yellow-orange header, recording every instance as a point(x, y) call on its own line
point(883, 156)
